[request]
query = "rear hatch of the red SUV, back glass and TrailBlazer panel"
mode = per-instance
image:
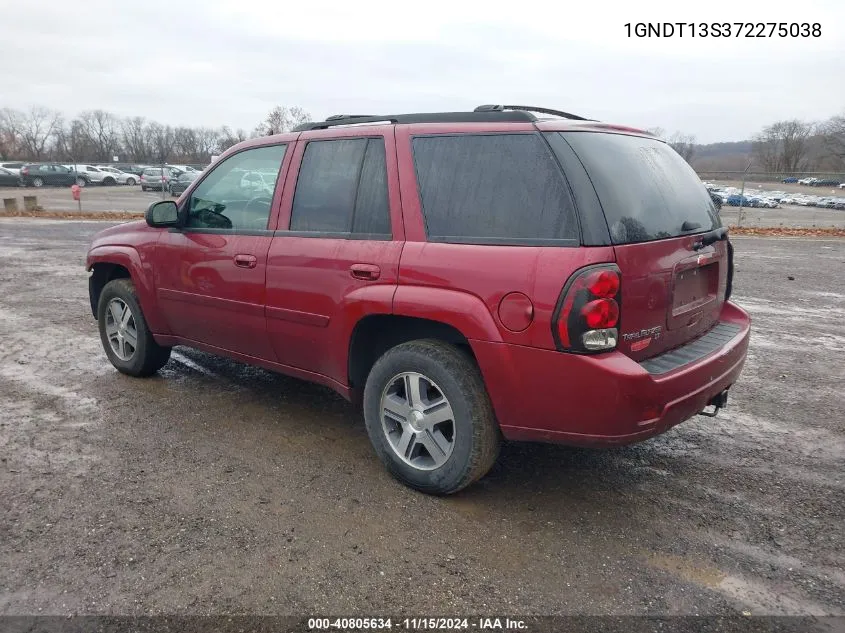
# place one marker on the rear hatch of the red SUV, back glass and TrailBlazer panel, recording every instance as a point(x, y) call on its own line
point(662, 225)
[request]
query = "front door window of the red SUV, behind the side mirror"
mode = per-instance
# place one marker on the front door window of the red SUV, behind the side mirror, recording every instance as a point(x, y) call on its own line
point(231, 197)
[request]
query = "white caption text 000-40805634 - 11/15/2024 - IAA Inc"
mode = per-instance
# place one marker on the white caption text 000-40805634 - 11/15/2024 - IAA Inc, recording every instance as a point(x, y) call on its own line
point(417, 624)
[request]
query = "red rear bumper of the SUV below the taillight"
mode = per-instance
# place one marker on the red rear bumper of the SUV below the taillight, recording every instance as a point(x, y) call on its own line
point(606, 399)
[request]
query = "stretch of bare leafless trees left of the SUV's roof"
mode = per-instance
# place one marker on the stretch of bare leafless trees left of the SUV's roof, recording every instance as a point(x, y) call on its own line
point(96, 136)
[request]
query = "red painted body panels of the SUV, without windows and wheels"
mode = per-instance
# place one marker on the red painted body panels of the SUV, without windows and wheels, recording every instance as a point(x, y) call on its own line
point(291, 303)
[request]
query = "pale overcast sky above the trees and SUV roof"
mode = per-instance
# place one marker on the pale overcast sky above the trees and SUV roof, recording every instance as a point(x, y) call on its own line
point(215, 62)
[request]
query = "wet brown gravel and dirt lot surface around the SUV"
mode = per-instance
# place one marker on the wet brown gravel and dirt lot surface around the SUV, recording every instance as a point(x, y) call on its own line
point(219, 488)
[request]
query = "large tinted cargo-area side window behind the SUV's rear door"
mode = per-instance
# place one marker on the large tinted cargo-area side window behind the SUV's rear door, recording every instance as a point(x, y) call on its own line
point(494, 188)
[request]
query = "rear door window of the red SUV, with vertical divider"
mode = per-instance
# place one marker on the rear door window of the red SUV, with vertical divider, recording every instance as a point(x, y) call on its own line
point(342, 189)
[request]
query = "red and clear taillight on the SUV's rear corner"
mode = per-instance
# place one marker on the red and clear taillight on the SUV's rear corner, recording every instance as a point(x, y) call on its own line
point(587, 315)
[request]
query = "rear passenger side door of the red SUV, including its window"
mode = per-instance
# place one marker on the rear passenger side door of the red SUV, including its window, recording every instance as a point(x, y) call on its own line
point(336, 257)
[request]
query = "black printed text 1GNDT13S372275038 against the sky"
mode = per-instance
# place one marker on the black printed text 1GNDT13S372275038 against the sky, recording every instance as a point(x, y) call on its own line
point(723, 29)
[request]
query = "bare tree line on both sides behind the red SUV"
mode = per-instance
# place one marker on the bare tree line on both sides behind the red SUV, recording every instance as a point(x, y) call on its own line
point(40, 134)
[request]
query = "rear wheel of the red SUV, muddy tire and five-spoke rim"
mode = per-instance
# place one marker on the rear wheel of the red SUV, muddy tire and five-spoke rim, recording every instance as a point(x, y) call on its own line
point(429, 417)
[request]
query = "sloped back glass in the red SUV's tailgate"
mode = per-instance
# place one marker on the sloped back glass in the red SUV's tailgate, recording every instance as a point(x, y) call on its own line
point(647, 191)
